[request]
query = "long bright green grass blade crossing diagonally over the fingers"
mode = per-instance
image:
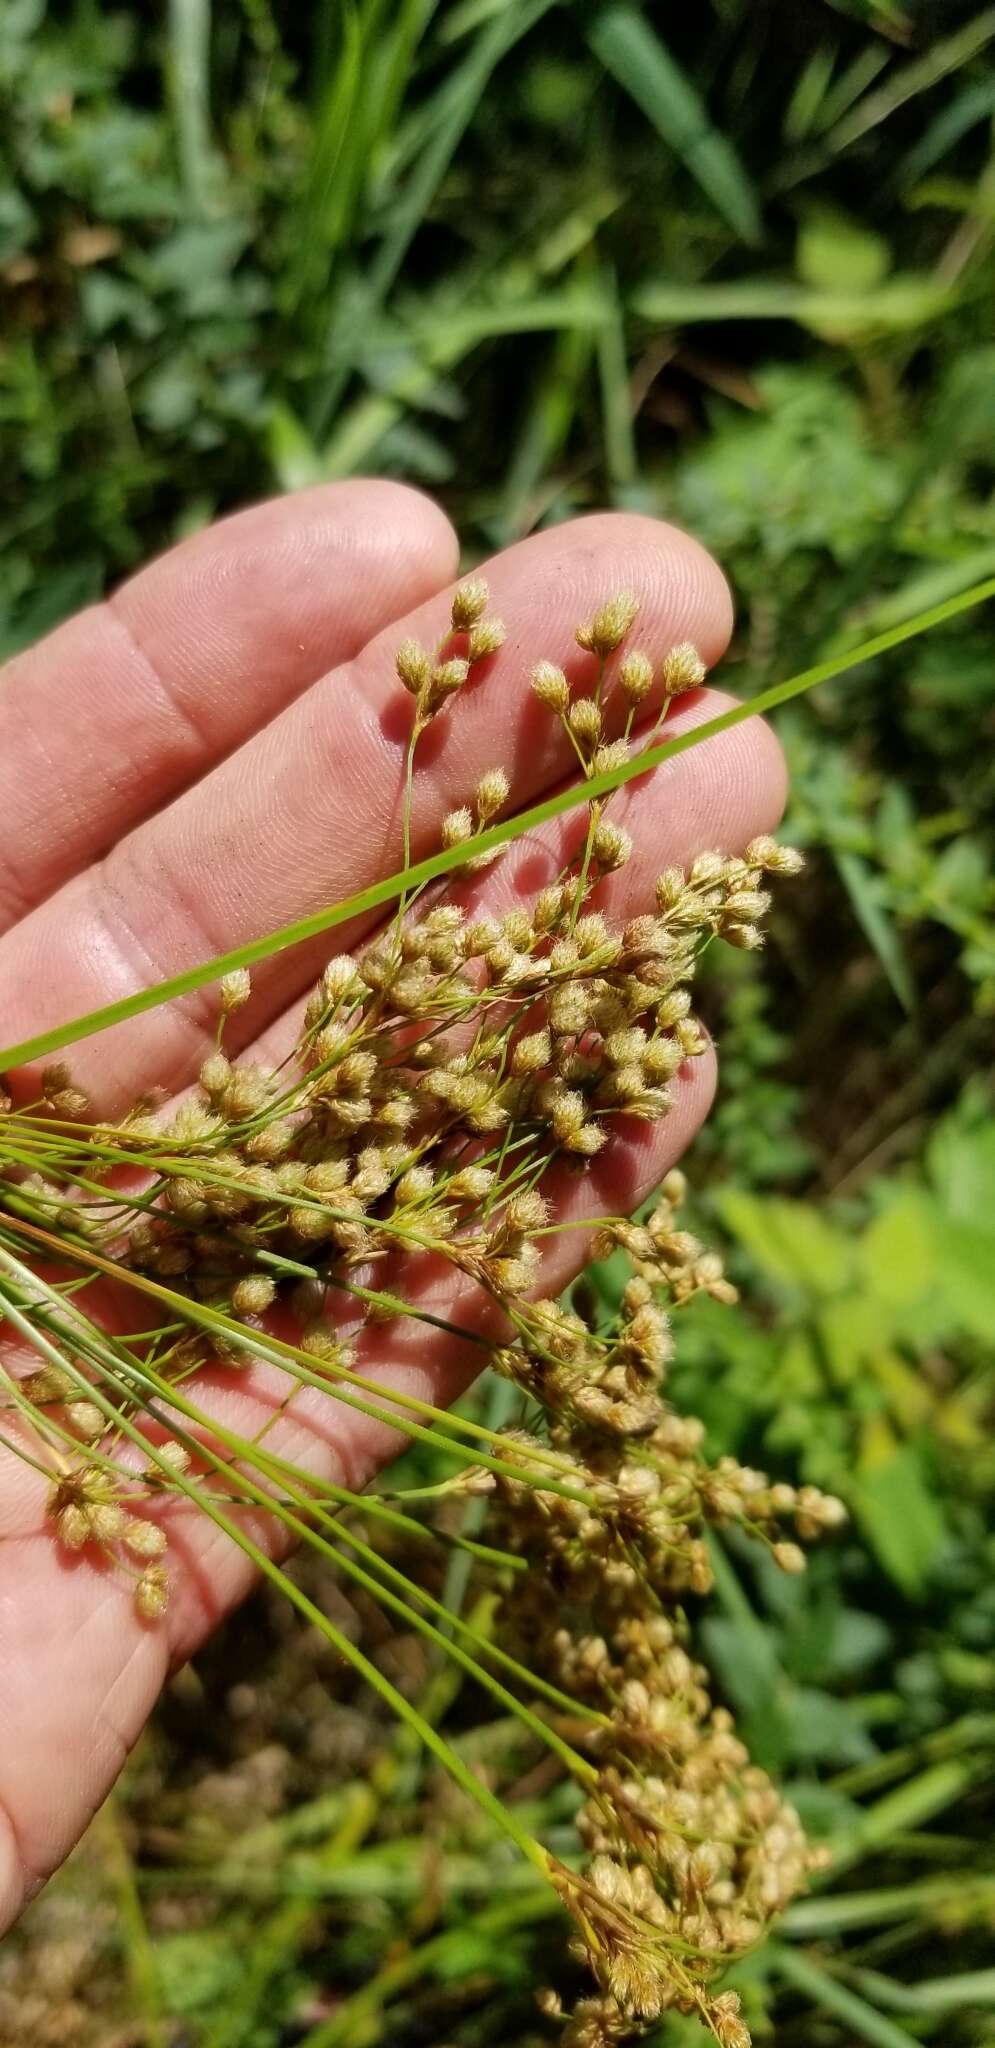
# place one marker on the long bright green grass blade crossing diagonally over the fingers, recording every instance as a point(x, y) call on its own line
point(427, 871)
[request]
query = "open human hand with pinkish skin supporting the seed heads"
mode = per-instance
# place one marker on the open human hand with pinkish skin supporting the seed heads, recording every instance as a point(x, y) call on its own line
point(200, 761)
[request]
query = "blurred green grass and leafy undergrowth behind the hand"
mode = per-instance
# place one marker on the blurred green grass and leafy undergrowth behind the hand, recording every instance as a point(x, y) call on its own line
point(732, 265)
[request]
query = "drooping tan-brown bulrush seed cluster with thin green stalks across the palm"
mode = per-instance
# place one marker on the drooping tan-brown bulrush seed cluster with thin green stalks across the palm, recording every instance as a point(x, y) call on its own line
point(447, 1080)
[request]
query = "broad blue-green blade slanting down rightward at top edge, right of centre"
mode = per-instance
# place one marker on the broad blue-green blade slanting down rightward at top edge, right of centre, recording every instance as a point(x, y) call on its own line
point(642, 65)
